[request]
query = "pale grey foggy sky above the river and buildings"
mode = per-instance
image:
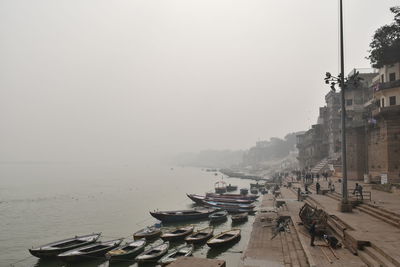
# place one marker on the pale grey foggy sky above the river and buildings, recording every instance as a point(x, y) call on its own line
point(121, 80)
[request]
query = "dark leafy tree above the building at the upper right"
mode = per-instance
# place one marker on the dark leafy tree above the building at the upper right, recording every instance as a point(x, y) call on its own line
point(385, 45)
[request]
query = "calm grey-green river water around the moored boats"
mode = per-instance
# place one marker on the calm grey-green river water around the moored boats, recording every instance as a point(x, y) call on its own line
point(41, 203)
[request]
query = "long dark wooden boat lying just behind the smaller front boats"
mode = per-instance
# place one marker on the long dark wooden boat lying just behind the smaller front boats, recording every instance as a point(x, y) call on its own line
point(182, 215)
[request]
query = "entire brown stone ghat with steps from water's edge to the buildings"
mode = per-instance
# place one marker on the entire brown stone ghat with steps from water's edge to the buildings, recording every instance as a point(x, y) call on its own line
point(369, 234)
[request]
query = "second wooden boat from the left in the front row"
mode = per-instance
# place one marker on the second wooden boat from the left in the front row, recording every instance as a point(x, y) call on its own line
point(89, 252)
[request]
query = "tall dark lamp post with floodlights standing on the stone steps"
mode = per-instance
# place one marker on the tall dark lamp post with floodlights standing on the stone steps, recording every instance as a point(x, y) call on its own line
point(344, 206)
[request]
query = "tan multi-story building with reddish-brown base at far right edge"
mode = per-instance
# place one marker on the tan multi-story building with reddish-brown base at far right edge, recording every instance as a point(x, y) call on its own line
point(384, 130)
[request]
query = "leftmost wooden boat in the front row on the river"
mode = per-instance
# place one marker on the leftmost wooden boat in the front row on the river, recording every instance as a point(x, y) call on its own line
point(53, 249)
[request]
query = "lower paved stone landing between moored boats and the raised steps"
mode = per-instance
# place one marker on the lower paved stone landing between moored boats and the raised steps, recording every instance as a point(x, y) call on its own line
point(290, 247)
